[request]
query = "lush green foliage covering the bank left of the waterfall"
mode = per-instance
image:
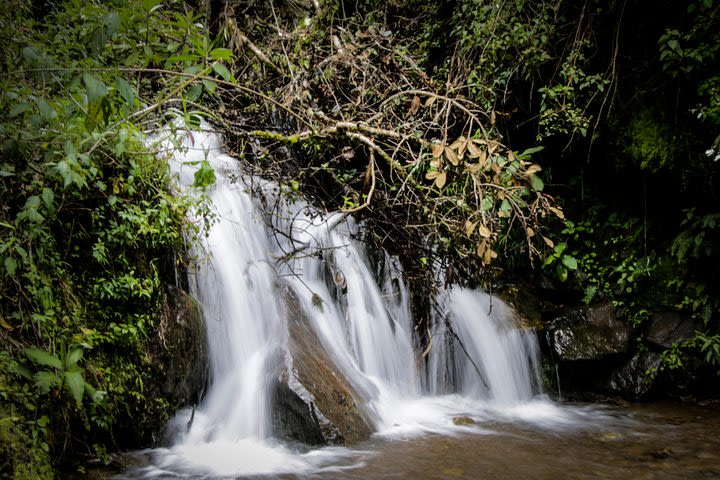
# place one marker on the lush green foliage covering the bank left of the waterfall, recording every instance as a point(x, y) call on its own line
point(88, 224)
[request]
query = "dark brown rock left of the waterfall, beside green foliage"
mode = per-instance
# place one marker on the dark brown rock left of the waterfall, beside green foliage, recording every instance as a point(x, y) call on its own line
point(182, 354)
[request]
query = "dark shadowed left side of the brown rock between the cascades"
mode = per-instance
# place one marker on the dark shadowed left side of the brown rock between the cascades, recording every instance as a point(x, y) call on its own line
point(293, 420)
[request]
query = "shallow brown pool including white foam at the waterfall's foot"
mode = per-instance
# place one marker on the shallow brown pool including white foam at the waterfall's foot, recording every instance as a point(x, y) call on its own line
point(537, 441)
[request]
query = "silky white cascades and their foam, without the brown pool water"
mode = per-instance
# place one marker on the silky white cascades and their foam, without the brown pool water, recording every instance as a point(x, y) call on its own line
point(480, 364)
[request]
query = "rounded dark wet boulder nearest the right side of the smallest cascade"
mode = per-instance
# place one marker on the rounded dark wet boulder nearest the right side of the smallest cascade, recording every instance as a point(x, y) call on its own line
point(589, 333)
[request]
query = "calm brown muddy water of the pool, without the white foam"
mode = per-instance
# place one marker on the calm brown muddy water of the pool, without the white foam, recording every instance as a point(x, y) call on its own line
point(638, 442)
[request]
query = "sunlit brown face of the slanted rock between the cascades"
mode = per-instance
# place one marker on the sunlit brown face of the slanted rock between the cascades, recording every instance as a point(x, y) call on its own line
point(338, 405)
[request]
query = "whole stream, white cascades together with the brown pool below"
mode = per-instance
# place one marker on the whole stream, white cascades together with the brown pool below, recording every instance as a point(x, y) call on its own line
point(472, 408)
